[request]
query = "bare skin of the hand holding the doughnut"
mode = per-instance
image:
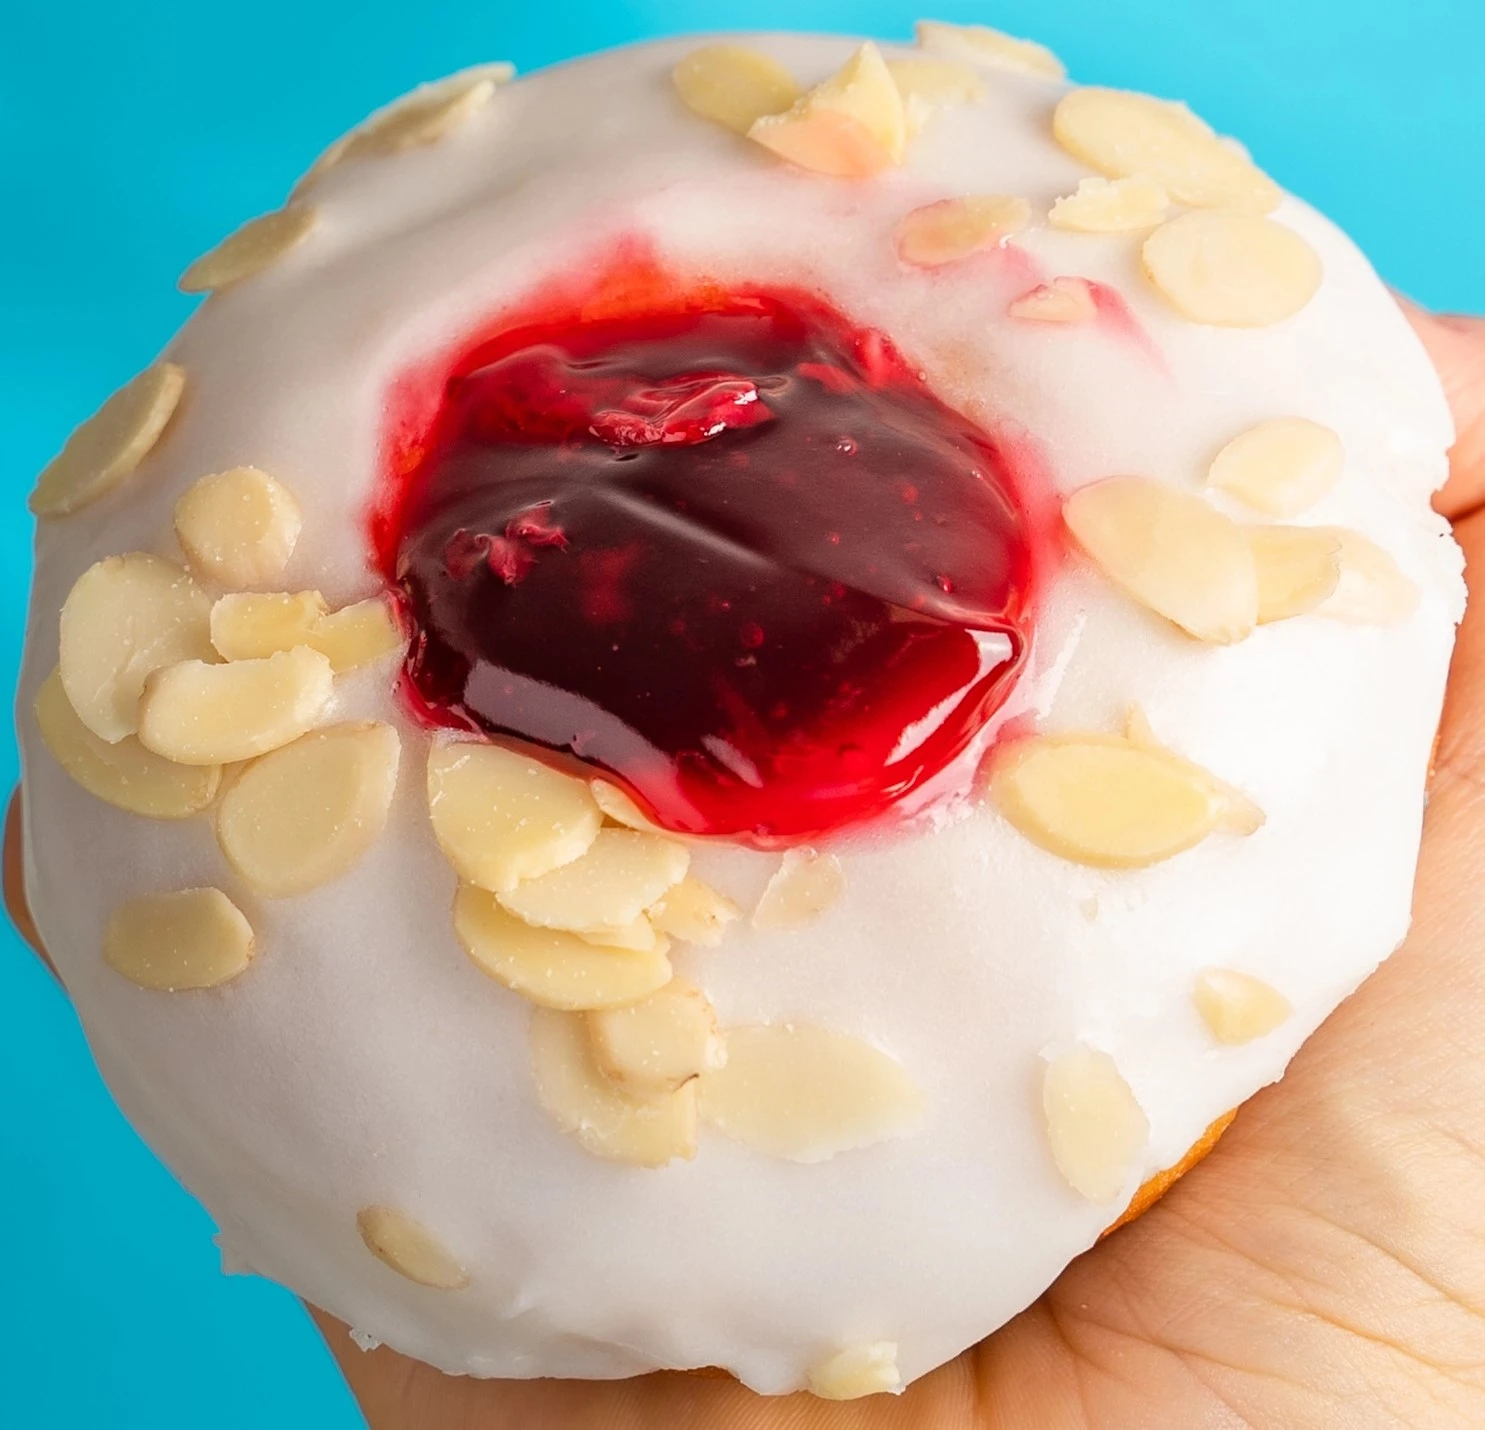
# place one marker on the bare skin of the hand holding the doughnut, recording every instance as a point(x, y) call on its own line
point(1325, 1267)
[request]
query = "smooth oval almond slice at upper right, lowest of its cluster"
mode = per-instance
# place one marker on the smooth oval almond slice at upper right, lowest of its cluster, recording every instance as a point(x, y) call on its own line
point(1232, 271)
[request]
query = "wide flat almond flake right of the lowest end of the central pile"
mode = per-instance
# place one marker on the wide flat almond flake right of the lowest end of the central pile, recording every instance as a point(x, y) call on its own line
point(807, 1094)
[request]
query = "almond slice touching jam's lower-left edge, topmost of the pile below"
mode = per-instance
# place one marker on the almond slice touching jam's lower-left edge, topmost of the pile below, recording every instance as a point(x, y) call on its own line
point(503, 817)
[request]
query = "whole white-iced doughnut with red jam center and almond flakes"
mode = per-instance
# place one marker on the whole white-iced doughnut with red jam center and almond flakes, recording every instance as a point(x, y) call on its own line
point(721, 696)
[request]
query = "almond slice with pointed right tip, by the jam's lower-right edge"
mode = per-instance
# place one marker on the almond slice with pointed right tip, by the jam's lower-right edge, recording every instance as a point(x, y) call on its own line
point(1109, 801)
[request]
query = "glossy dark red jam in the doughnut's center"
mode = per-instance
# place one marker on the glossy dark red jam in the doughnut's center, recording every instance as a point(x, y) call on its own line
point(740, 559)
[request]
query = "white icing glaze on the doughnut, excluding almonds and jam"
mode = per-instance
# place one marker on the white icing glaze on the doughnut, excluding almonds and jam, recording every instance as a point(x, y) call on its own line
point(363, 1060)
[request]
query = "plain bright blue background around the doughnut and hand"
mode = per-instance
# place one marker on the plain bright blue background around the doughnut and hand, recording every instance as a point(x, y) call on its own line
point(136, 136)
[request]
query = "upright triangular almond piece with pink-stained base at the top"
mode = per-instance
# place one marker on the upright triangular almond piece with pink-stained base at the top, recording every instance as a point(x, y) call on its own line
point(853, 125)
